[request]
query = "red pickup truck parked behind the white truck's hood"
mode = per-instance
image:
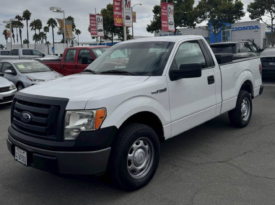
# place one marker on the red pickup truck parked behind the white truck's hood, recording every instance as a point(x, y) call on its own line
point(75, 59)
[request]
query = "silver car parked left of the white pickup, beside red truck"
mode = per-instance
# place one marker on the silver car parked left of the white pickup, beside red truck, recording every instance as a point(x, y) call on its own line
point(25, 73)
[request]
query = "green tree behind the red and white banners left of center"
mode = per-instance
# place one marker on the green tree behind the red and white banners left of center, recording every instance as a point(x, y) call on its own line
point(110, 30)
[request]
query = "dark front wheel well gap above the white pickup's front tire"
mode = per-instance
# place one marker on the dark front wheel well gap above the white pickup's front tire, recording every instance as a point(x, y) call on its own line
point(149, 119)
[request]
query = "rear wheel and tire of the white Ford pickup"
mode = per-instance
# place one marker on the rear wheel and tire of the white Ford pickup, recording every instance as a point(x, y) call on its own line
point(241, 115)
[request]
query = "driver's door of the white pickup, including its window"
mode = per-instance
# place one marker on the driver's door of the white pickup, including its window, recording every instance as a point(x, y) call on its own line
point(192, 100)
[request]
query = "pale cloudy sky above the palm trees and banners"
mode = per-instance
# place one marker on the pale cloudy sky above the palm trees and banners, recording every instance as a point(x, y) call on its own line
point(80, 10)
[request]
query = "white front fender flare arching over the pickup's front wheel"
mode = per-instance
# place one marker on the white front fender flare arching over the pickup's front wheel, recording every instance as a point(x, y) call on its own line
point(136, 105)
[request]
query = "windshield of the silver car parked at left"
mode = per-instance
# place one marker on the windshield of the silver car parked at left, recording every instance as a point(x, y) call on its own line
point(31, 67)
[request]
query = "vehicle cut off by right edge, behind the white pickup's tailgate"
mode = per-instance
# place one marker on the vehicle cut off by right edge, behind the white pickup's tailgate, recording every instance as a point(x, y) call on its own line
point(268, 62)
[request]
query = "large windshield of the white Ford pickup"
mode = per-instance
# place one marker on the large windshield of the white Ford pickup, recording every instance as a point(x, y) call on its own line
point(142, 58)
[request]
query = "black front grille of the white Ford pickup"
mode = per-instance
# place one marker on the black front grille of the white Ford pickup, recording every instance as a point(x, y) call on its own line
point(46, 117)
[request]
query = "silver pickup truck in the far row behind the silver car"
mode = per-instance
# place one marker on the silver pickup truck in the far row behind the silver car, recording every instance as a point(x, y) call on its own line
point(24, 53)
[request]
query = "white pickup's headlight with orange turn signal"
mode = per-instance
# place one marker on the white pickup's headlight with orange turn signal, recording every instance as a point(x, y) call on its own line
point(83, 120)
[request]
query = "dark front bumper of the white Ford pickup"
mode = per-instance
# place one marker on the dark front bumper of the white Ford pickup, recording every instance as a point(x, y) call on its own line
point(64, 162)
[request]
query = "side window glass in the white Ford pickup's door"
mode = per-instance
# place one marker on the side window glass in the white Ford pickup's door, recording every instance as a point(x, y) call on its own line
point(188, 53)
